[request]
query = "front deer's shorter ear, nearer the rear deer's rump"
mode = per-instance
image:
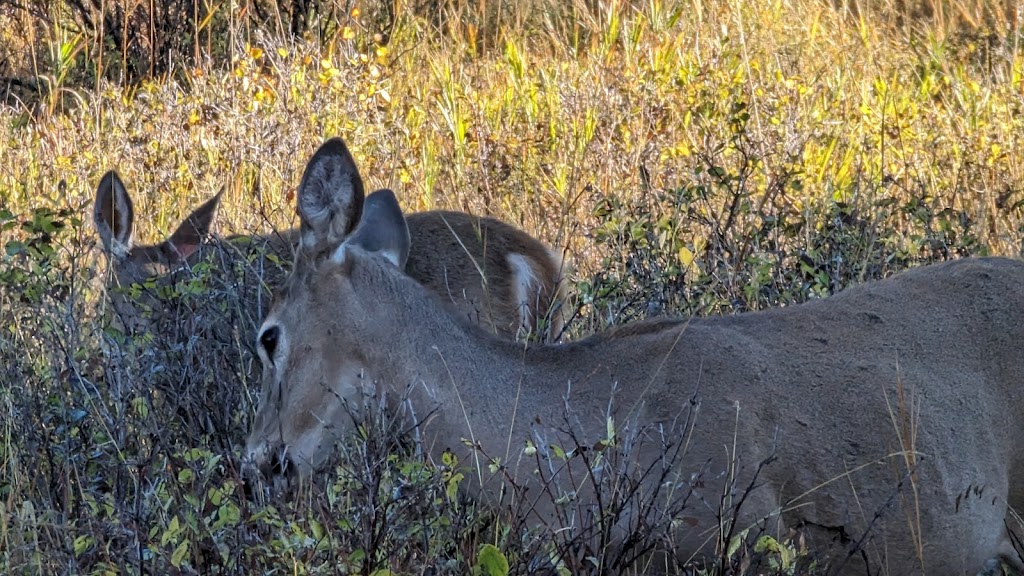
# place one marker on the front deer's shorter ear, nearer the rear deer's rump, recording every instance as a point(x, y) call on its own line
point(382, 231)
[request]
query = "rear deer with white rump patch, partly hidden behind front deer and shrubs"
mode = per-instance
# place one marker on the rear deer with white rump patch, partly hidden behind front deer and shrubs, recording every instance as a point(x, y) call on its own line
point(200, 298)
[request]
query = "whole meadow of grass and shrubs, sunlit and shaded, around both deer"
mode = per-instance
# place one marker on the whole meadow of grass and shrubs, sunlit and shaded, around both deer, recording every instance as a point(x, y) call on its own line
point(690, 157)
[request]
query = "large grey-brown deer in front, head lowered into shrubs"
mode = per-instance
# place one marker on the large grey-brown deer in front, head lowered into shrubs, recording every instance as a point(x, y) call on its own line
point(882, 424)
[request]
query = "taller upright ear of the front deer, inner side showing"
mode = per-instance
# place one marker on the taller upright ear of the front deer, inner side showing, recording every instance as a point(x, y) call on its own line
point(330, 197)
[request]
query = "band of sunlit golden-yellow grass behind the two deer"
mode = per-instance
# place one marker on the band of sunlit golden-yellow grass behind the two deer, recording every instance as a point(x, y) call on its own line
point(536, 133)
